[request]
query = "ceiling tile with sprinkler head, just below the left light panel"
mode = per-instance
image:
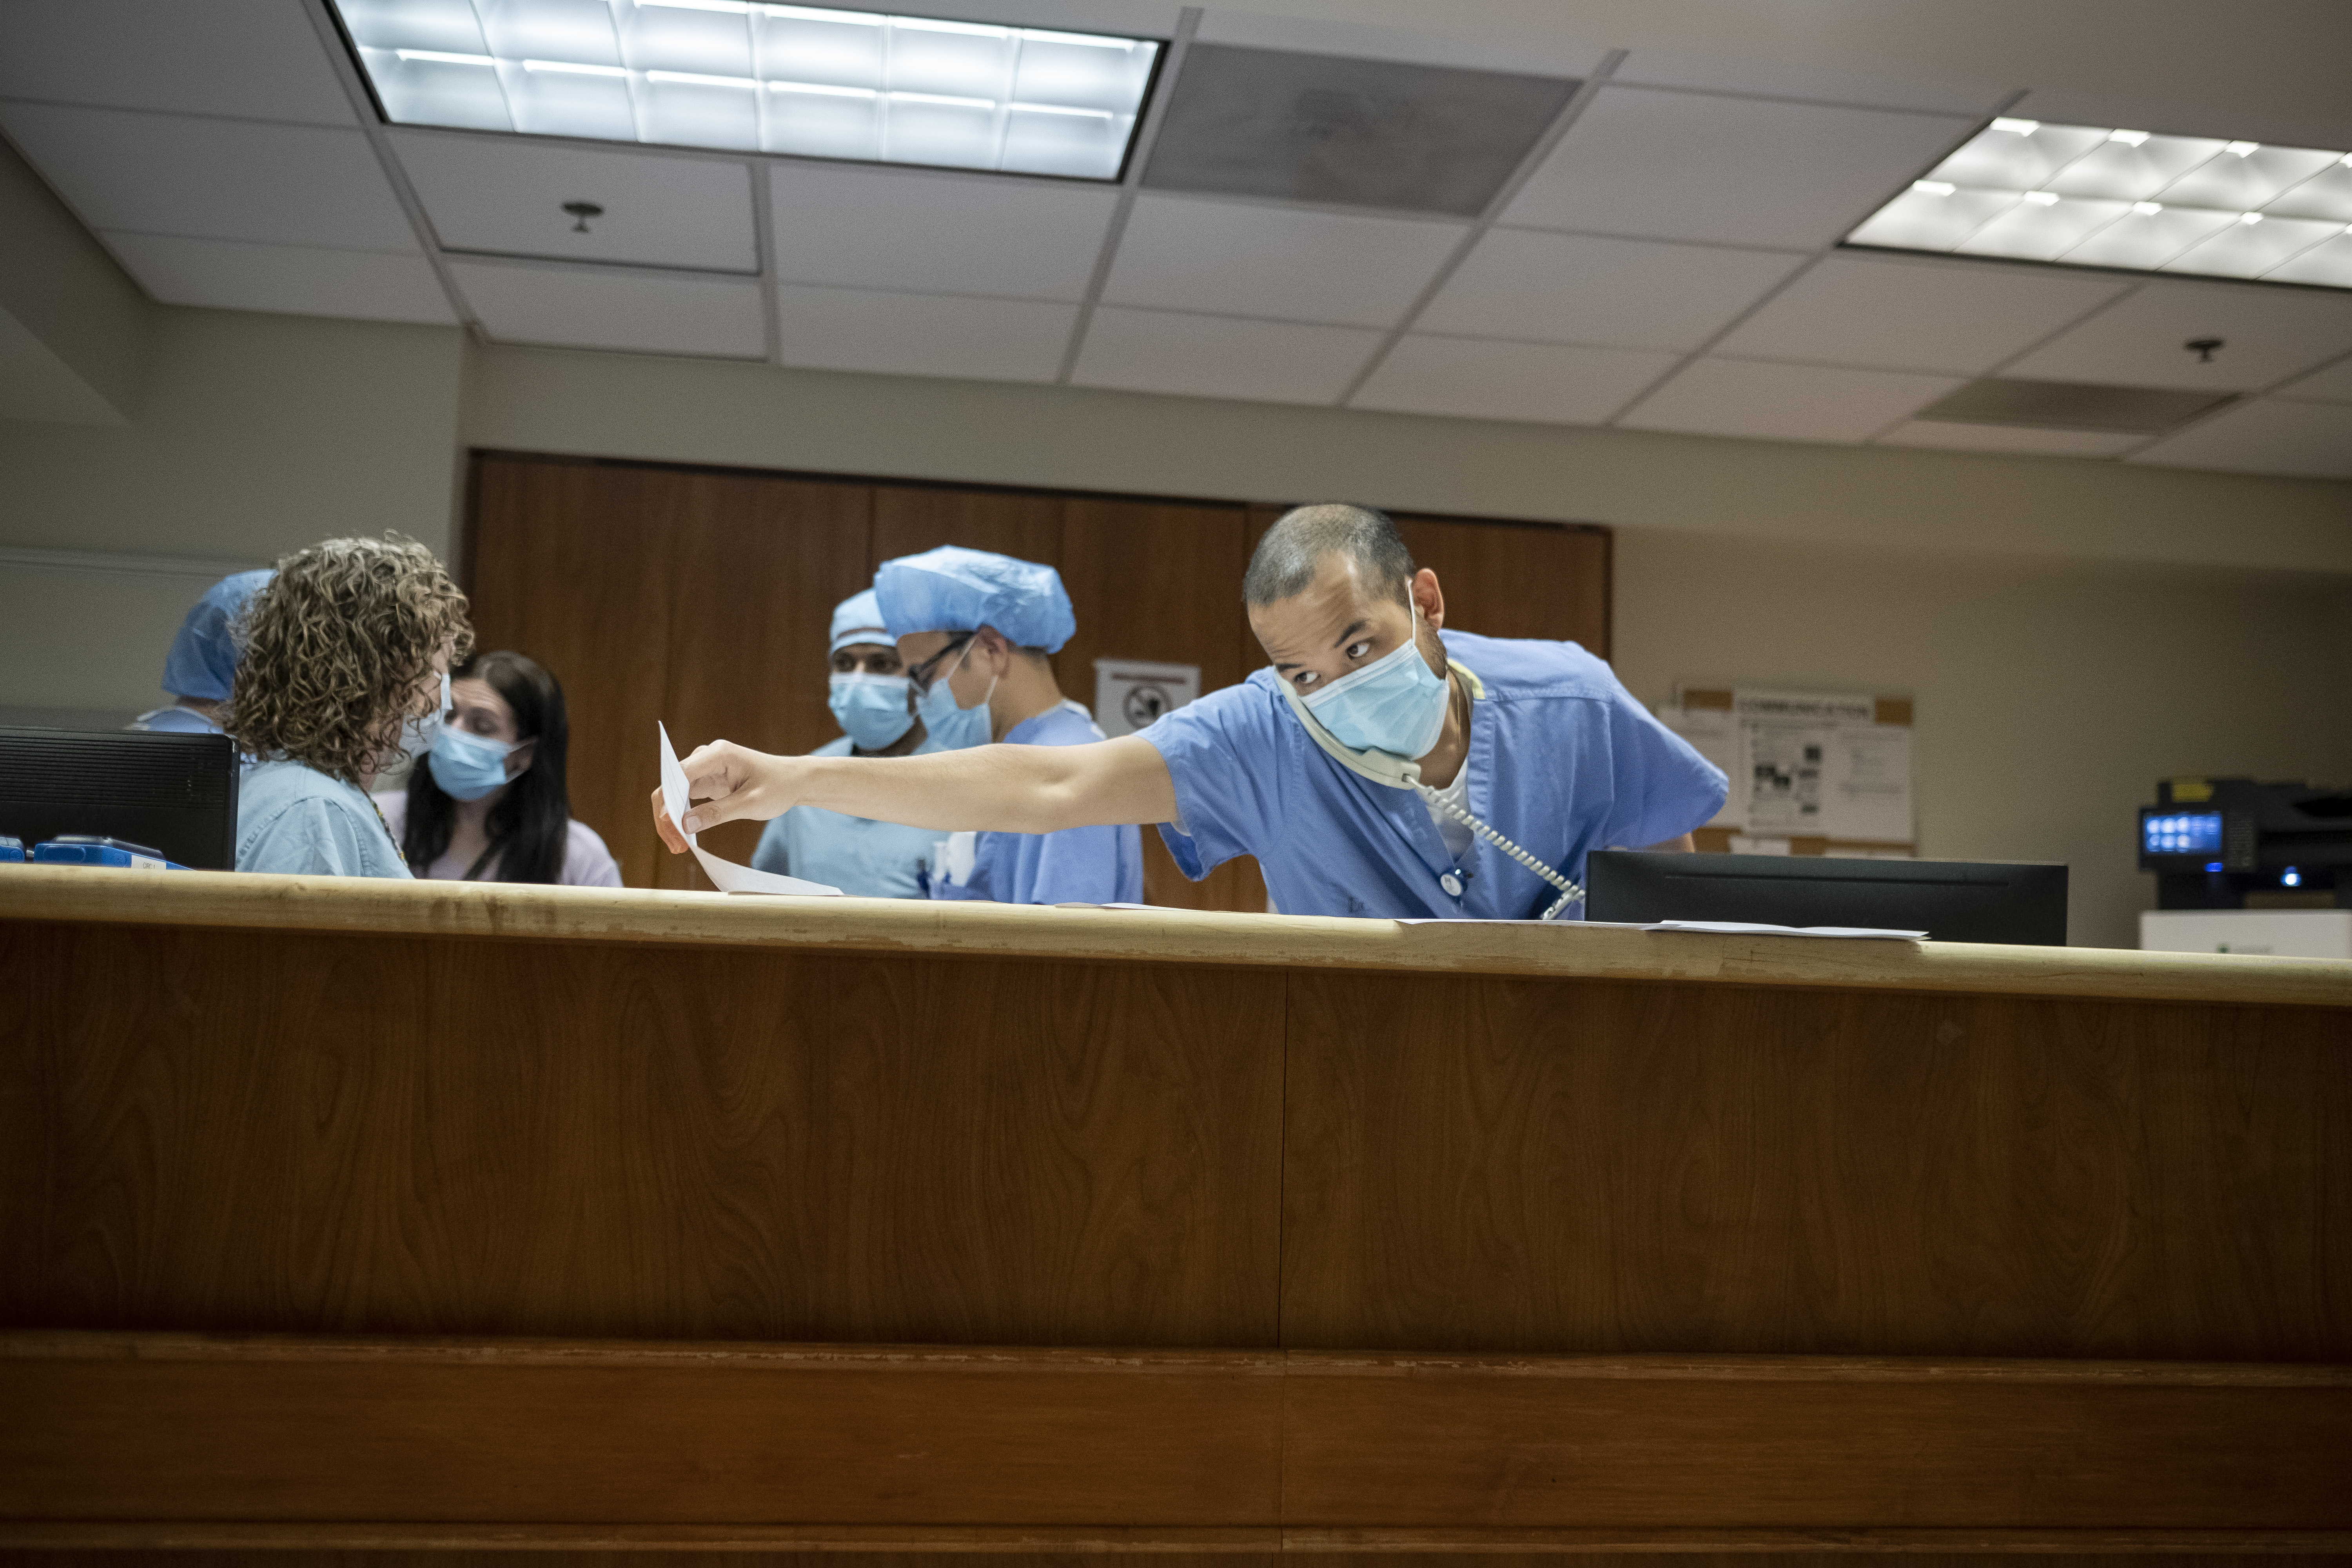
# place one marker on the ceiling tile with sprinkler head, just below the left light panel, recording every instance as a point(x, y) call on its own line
point(507, 196)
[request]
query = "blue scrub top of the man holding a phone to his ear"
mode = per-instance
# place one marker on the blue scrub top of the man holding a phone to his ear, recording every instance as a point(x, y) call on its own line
point(1563, 760)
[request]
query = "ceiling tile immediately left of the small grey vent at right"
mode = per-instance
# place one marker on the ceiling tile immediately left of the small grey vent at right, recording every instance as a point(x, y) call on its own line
point(1789, 403)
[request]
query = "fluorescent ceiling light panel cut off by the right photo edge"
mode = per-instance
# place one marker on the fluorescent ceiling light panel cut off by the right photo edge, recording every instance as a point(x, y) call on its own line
point(2132, 201)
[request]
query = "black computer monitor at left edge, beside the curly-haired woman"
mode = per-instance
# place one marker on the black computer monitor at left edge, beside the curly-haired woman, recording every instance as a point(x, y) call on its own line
point(173, 793)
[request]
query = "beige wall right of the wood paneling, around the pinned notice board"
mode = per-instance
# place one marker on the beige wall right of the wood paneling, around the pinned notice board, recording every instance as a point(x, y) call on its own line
point(2050, 697)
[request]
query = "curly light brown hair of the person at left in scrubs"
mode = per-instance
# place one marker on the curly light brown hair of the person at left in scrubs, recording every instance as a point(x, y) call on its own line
point(335, 648)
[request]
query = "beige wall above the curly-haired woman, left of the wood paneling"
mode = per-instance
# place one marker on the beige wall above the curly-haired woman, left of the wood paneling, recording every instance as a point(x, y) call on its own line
point(253, 436)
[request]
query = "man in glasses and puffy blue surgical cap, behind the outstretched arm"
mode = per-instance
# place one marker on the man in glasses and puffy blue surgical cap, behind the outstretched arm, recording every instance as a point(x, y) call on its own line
point(975, 634)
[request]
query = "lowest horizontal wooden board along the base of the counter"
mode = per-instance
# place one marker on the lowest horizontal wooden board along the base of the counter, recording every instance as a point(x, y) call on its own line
point(1264, 1449)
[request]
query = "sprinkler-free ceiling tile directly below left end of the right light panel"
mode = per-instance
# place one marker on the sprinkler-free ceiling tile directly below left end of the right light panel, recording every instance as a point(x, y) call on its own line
point(1916, 316)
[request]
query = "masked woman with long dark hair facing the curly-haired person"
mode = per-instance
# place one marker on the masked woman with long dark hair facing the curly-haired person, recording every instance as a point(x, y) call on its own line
point(490, 800)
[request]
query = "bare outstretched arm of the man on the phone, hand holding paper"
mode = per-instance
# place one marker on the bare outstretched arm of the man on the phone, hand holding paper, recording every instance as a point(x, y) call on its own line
point(989, 789)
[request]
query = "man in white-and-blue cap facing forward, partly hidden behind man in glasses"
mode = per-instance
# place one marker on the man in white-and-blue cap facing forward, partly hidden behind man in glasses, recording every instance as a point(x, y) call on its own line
point(876, 709)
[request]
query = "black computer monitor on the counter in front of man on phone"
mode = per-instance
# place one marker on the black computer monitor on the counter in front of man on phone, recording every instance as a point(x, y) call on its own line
point(1953, 902)
